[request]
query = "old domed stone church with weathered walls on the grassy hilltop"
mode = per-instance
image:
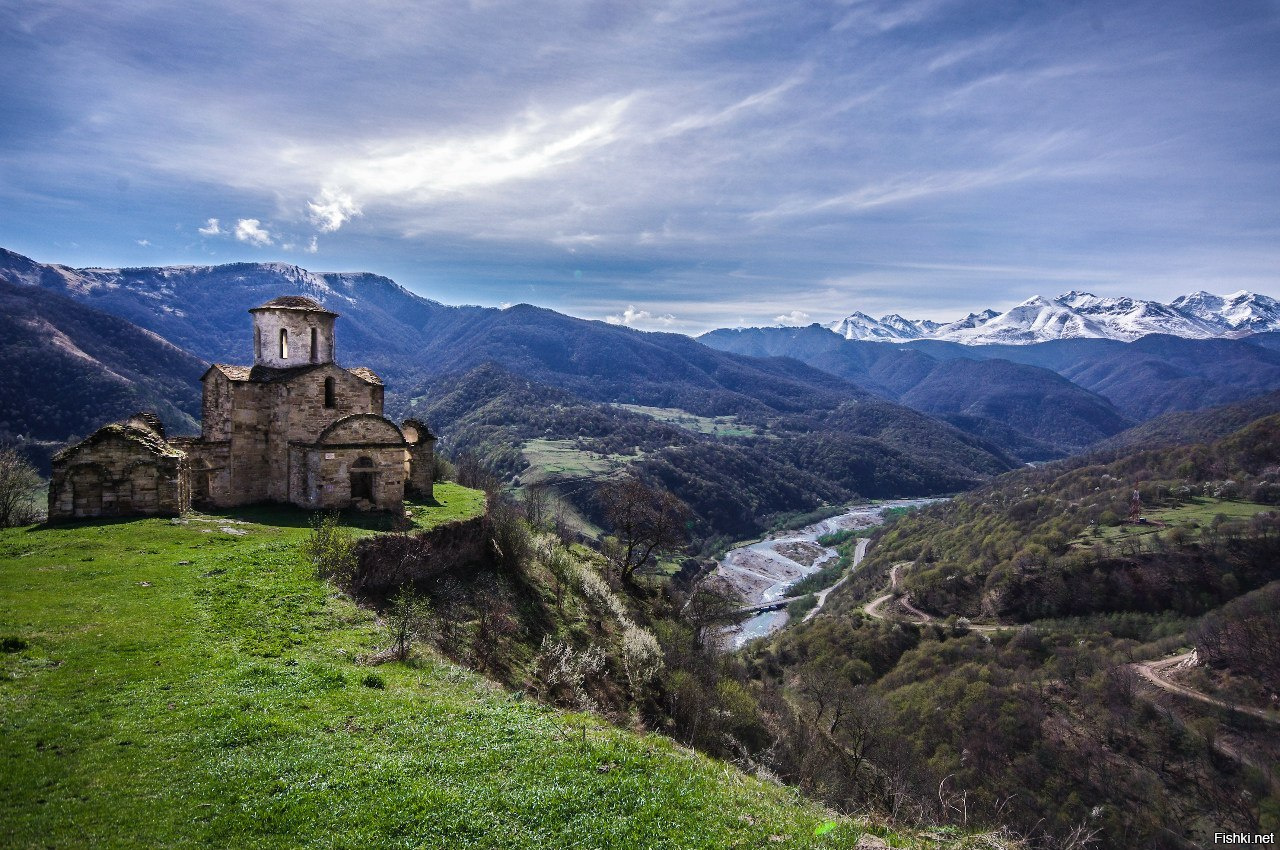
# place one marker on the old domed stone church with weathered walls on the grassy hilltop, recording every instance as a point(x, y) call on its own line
point(295, 427)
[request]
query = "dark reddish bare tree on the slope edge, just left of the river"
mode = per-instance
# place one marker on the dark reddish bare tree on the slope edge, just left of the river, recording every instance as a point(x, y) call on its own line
point(646, 522)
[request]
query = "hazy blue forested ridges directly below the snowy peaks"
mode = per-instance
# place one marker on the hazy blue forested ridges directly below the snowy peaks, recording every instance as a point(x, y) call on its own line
point(1069, 392)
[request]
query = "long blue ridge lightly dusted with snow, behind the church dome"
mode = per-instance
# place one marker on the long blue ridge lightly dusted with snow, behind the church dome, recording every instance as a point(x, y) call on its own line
point(408, 339)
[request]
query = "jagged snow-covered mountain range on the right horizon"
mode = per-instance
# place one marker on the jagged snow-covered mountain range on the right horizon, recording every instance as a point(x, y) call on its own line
point(1077, 316)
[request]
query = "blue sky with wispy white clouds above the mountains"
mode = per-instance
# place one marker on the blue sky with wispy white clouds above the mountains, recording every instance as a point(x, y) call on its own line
point(676, 166)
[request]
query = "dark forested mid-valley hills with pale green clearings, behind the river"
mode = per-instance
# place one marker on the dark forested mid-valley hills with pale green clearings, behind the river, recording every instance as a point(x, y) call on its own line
point(738, 481)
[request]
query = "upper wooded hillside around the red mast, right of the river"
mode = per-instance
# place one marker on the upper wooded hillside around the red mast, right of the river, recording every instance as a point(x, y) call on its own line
point(1053, 542)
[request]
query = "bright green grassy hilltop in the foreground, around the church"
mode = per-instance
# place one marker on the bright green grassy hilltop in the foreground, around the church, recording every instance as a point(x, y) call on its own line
point(191, 684)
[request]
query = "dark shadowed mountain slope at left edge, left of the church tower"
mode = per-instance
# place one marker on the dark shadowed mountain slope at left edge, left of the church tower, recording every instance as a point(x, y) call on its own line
point(66, 369)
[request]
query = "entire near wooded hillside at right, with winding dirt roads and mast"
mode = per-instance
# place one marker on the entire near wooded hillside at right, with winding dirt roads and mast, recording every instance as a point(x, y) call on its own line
point(1046, 723)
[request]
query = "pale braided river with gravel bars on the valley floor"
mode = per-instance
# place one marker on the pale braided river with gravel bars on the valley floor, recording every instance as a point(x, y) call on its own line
point(761, 573)
